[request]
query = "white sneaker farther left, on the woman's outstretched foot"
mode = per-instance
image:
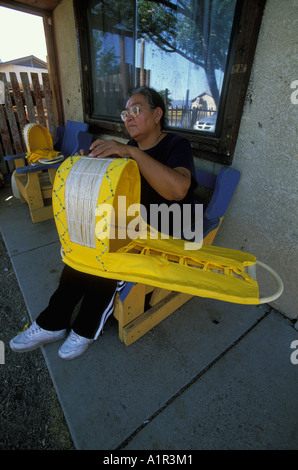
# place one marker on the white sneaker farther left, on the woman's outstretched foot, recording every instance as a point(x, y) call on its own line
point(34, 337)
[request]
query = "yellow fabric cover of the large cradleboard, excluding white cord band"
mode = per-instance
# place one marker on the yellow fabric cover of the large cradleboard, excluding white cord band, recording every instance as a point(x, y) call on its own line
point(210, 271)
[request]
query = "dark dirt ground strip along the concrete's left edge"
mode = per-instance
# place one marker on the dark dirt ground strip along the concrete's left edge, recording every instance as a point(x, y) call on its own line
point(30, 414)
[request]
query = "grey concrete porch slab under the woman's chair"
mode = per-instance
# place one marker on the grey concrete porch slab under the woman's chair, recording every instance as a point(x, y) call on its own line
point(213, 375)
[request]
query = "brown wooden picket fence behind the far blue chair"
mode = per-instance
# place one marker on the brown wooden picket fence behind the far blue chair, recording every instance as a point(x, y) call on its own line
point(23, 104)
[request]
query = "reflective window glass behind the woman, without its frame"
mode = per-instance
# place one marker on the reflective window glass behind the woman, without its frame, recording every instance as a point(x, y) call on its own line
point(180, 48)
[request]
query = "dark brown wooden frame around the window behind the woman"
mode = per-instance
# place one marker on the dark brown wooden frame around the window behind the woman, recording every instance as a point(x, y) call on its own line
point(218, 149)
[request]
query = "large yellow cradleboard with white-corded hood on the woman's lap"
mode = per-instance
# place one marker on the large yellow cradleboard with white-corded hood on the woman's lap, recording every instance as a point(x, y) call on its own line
point(89, 221)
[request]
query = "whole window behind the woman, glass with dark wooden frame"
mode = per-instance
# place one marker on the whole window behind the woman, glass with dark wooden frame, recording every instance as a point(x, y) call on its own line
point(183, 48)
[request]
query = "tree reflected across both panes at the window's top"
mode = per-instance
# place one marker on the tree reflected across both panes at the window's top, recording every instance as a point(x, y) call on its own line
point(198, 30)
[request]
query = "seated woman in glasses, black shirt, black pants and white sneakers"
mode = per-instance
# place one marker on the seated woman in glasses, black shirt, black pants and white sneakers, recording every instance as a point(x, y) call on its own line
point(167, 175)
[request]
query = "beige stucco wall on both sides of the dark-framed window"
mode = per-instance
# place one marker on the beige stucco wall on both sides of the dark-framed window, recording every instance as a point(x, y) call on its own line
point(262, 218)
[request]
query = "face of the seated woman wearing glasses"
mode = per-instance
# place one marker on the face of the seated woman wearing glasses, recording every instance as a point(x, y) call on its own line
point(146, 122)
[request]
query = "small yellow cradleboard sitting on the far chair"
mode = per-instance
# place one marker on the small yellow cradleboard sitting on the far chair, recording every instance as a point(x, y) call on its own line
point(39, 144)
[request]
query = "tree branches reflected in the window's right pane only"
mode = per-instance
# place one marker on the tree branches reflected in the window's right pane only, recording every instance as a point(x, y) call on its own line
point(197, 30)
